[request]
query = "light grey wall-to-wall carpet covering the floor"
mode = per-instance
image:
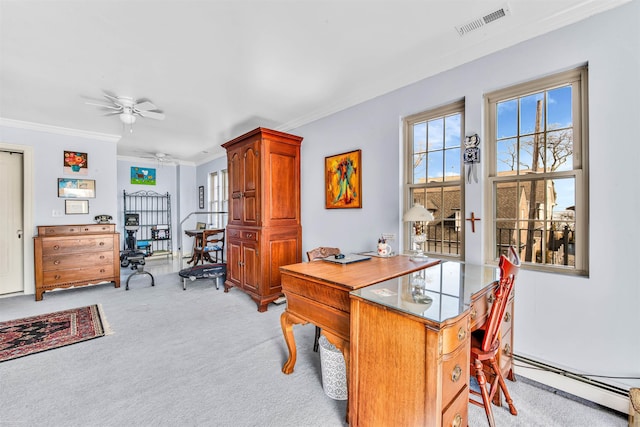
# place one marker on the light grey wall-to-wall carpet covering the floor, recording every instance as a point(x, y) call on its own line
point(200, 357)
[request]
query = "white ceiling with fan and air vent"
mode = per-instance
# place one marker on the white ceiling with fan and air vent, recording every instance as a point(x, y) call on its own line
point(220, 68)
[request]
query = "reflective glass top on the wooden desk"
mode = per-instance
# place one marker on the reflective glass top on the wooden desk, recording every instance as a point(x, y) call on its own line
point(437, 293)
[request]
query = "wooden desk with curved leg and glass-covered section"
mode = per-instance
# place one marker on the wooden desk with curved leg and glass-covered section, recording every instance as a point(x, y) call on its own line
point(321, 293)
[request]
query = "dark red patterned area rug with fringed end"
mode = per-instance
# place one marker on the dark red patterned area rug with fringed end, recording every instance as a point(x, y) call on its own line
point(30, 335)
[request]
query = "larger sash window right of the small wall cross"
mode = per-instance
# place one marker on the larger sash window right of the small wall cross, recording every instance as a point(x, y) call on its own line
point(537, 154)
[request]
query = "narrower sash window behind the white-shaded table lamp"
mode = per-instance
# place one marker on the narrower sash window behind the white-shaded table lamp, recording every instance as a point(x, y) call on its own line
point(434, 178)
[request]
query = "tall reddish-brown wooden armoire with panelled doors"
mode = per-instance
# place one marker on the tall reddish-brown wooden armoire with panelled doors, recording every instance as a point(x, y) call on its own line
point(264, 230)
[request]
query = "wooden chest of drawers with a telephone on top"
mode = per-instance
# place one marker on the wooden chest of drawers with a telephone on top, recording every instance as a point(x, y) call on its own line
point(75, 255)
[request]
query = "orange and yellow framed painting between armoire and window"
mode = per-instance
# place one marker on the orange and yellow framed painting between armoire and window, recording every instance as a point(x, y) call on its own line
point(343, 182)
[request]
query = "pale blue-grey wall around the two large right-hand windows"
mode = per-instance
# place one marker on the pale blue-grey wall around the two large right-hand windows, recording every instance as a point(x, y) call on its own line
point(572, 322)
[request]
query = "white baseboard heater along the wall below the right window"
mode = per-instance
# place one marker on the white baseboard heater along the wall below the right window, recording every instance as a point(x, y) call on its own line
point(608, 396)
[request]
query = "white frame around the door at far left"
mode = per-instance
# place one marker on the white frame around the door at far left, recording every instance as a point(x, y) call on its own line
point(27, 215)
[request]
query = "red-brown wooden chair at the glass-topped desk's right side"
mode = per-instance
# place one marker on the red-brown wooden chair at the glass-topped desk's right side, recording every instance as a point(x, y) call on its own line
point(485, 342)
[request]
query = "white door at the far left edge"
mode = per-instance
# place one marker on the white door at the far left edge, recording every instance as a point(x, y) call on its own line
point(11, 227)
